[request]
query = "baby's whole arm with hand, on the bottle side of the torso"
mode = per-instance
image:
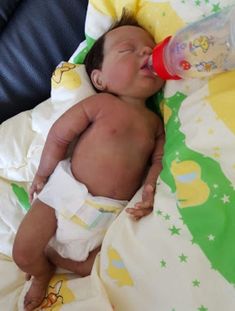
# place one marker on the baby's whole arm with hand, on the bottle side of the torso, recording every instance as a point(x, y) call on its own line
point(145, 207)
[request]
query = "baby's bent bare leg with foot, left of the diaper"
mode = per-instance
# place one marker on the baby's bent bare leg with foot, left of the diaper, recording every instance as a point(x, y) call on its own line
point(33, 235)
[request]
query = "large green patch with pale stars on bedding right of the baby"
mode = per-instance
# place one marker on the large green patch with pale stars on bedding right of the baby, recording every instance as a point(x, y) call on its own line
point(212, 215)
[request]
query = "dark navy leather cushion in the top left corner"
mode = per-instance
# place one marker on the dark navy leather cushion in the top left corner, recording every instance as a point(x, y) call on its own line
point(35, 35)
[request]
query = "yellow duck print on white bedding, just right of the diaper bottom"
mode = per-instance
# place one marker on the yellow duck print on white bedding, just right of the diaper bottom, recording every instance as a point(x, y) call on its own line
point(117, 270)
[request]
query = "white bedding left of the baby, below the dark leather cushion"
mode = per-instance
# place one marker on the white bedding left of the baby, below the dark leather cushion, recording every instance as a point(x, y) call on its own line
point(22, 138)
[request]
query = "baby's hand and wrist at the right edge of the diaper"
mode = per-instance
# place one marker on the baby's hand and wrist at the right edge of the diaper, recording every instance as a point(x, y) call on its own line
point(144, 207)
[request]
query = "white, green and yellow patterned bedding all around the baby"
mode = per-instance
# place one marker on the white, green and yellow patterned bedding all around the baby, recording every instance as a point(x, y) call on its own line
point(179, 258)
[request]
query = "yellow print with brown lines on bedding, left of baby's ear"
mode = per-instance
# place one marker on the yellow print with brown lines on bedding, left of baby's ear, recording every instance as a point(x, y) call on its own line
point(65, 75)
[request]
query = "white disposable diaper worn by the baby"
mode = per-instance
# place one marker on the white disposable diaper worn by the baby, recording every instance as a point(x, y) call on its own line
point(82, 219)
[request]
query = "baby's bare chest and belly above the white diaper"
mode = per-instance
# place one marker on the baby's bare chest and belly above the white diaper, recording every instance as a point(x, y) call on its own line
point(111, 156)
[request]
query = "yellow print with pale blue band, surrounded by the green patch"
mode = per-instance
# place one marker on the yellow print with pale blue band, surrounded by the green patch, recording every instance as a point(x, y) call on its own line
point(191, 190)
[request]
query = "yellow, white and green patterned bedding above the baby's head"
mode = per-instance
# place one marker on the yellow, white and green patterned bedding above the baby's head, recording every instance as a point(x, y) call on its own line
point(160, 18)
